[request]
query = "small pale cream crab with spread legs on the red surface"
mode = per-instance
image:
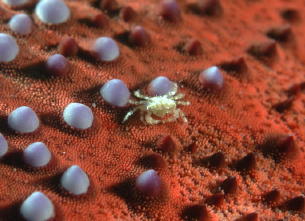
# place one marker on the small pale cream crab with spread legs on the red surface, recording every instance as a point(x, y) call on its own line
point(158, 106)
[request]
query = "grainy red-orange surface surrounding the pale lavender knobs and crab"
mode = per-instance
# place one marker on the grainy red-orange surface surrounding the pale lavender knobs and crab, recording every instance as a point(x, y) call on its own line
point(255, 104)
